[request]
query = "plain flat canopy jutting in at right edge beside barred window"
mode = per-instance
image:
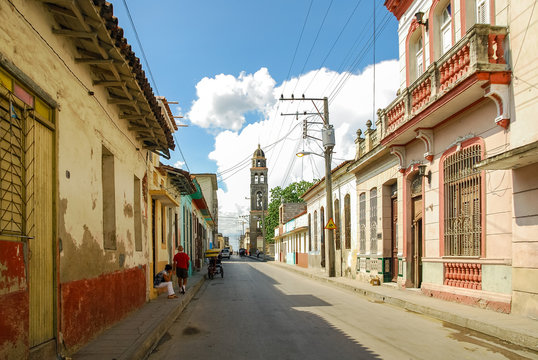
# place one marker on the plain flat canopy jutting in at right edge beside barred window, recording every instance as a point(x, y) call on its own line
point(511, 159)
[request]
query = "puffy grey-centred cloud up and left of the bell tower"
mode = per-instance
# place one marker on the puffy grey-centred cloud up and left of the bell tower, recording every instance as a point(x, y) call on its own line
point(224, 100)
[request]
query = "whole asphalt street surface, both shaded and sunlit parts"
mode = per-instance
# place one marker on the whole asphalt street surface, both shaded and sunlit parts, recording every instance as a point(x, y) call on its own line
point(260, 311)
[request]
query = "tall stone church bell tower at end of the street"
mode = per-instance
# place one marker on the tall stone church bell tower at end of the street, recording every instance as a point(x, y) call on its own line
point(258, 198)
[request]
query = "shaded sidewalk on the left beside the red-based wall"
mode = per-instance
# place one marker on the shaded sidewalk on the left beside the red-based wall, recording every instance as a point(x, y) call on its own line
point(135, 336)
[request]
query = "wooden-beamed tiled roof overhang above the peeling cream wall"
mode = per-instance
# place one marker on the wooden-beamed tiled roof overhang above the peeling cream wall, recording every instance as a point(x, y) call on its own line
point(113, 65)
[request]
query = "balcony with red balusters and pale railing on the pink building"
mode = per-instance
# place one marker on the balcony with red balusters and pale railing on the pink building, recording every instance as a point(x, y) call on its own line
point(460, 78)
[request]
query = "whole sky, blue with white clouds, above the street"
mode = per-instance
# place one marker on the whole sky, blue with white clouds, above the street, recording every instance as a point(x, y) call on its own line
point(232, 59)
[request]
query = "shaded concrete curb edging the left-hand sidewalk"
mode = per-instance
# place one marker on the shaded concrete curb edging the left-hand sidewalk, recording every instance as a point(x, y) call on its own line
point(143, 347)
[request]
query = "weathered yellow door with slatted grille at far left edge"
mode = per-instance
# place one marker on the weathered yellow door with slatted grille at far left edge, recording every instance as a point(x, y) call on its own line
point(27, 144)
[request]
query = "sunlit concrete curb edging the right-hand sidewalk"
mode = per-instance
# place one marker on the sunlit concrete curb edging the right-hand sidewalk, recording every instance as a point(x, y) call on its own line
point(516, 337)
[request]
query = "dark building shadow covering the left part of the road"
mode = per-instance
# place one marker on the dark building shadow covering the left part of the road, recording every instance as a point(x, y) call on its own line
point(246, 315)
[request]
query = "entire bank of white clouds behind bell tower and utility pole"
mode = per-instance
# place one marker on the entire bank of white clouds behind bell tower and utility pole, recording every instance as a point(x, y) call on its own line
point(225, 100)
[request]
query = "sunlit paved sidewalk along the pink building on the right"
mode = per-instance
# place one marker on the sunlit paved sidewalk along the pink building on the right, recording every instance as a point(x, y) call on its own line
point(512, 328)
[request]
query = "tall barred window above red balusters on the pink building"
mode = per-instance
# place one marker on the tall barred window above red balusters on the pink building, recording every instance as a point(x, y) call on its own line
point(462, 193)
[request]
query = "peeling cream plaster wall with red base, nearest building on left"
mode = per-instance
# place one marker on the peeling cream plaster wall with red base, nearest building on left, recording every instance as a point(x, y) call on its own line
point(84, 124)
